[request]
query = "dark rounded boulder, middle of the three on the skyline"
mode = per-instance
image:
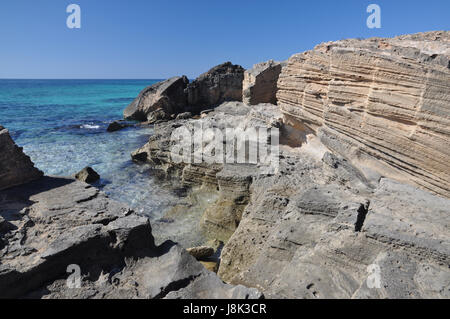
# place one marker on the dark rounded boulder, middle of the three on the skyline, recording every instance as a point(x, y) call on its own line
point(221, 83)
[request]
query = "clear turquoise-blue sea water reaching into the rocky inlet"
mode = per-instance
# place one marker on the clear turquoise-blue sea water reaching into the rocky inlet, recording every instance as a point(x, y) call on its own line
point(61, 124)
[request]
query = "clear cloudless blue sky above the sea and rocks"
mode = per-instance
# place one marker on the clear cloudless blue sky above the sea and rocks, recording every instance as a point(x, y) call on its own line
point(162, 38)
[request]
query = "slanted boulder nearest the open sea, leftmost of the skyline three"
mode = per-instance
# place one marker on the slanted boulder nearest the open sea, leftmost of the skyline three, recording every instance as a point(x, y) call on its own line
point(168, 95)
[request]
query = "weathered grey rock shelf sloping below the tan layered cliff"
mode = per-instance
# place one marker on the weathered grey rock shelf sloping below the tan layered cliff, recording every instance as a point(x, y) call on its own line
point(318, 226)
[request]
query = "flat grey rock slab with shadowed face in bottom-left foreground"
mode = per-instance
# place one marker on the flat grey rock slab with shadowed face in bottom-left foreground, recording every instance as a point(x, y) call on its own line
point(62, 238)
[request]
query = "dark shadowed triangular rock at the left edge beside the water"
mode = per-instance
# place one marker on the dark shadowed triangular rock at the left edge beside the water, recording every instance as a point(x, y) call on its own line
point(16, 168)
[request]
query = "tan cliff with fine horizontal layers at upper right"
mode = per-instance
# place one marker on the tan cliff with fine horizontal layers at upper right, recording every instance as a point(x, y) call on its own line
point(383, 103)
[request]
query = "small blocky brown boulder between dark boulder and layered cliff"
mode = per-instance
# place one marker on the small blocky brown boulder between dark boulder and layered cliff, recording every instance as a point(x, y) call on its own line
point(260, 83)
